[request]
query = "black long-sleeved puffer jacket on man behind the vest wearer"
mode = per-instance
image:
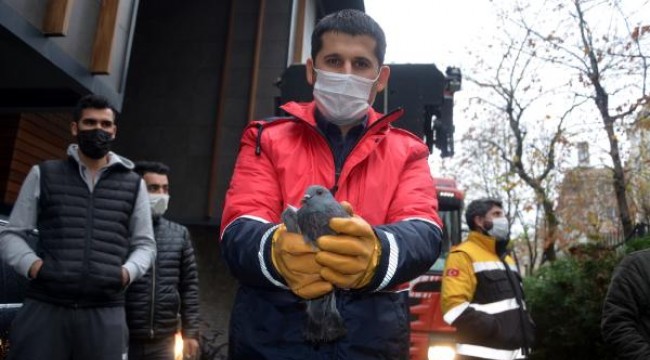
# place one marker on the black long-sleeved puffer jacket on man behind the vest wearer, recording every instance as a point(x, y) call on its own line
point(153, 303)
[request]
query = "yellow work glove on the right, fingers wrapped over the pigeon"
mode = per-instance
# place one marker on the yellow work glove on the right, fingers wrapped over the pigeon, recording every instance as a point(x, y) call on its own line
point(350, 258)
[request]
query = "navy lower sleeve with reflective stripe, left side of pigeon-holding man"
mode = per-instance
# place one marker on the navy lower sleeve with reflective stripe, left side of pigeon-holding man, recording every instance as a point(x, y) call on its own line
point(246, 248)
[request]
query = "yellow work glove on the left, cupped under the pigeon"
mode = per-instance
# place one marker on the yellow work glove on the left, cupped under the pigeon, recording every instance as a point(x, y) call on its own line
point(295, 260)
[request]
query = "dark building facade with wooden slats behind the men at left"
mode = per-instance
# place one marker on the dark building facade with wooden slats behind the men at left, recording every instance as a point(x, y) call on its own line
point(185, 77)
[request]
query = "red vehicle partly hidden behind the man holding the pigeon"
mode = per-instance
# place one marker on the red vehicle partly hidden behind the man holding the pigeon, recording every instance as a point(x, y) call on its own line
point(431, 337)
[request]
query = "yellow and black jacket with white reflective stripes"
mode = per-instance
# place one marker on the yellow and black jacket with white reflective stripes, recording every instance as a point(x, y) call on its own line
point(482, 297)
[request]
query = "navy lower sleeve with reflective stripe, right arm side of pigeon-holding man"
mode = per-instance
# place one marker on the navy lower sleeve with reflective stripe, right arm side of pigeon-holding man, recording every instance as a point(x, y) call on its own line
point(408, 249)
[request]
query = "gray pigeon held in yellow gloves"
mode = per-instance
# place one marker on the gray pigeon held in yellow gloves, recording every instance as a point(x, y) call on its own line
point(324, 323)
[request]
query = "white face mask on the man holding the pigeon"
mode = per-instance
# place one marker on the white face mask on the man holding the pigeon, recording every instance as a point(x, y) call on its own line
point(342, 98)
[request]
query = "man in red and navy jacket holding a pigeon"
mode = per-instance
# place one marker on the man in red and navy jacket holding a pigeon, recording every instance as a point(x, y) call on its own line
point(392, 233)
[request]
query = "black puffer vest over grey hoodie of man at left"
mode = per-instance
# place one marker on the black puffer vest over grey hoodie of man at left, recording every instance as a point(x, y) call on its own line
point(84, 236)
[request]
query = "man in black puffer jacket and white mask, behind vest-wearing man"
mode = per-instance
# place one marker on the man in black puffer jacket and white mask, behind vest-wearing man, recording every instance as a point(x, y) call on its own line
point(170, 288)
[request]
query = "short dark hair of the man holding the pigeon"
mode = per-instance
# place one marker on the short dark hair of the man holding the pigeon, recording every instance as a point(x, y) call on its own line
point(352, 22)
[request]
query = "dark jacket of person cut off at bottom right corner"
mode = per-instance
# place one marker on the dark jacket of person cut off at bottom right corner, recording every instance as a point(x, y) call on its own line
point(626, 312)
